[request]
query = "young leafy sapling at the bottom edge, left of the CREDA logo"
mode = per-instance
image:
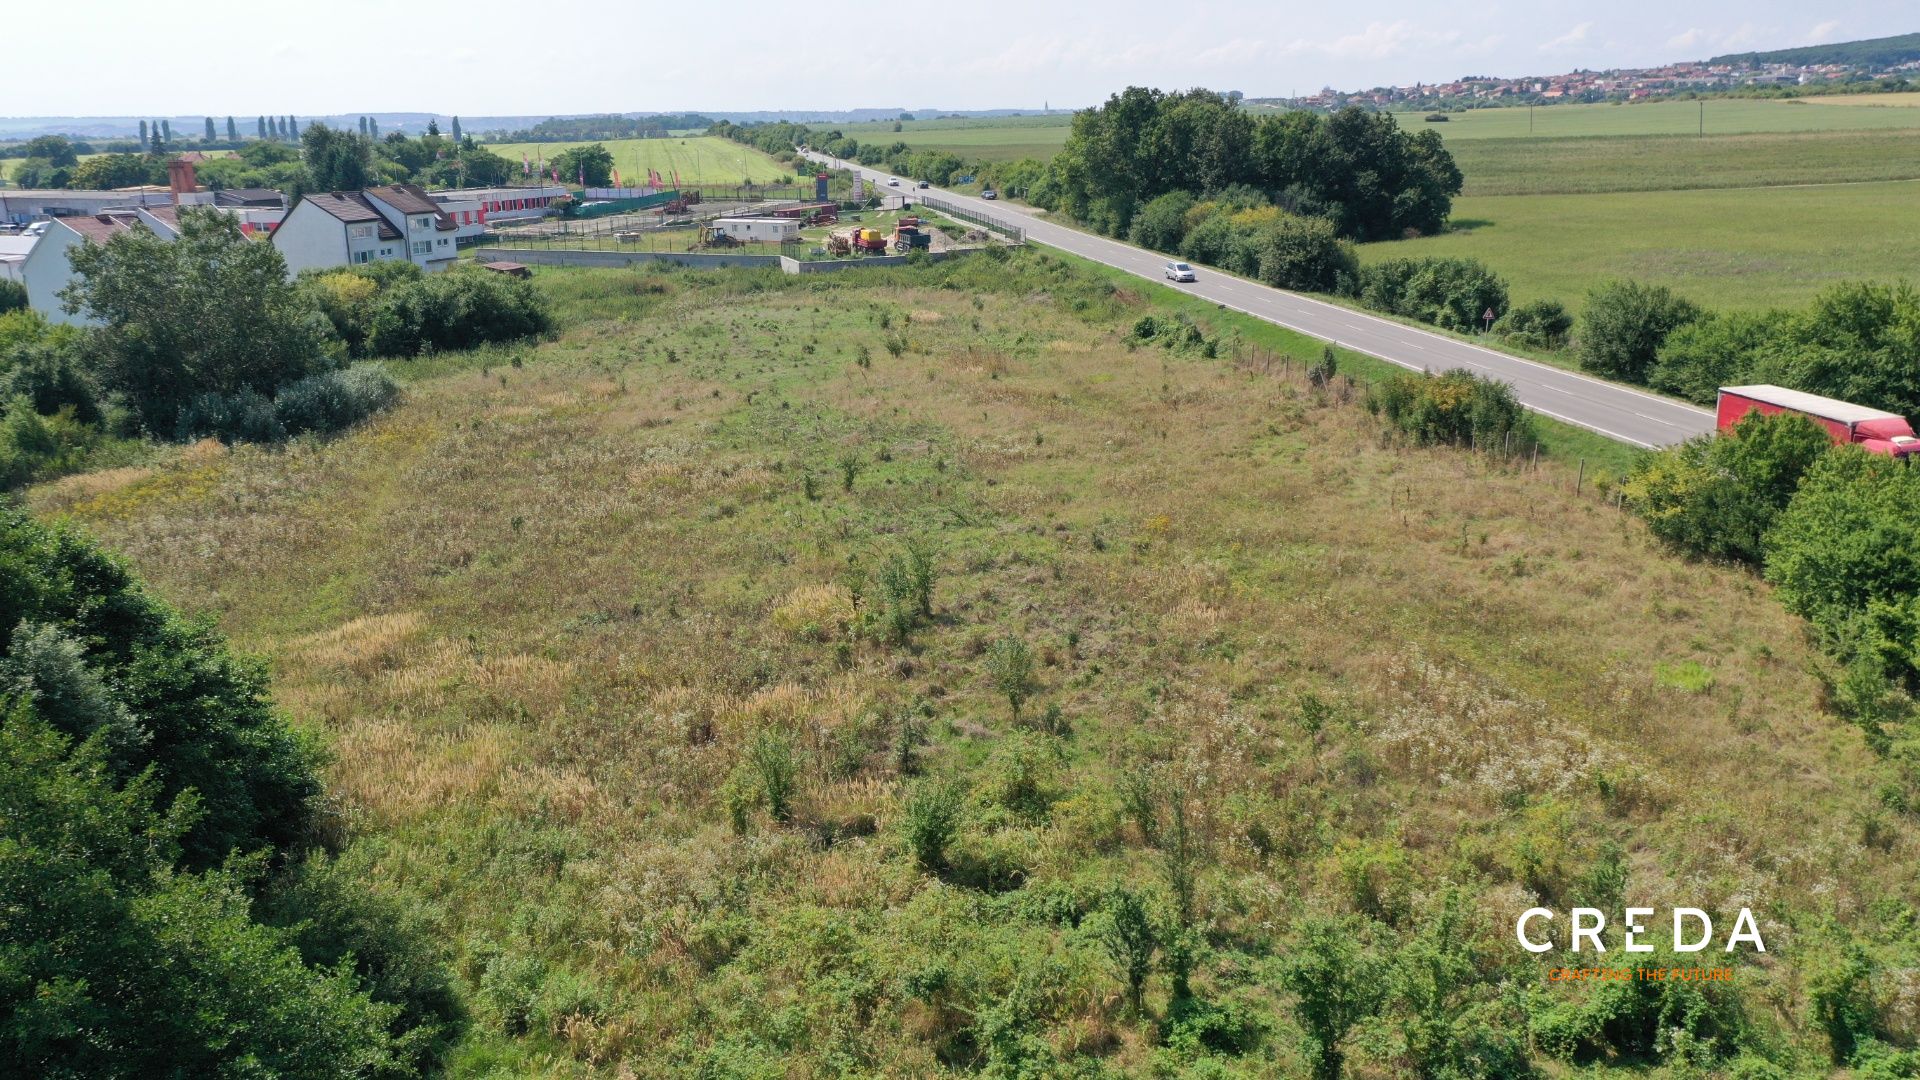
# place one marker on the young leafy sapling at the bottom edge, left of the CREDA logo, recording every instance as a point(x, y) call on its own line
point(1337, 983)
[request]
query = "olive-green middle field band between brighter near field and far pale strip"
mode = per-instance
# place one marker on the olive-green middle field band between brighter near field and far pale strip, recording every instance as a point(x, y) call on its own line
point(1677, 162)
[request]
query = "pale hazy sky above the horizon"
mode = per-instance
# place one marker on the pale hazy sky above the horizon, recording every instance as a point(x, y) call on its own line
point(517, 57)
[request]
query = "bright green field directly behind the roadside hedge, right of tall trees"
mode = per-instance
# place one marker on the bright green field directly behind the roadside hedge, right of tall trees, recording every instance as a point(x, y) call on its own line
point(1723, 249)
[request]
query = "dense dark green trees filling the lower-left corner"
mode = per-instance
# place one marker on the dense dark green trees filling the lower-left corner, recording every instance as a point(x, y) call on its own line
point(147, 783)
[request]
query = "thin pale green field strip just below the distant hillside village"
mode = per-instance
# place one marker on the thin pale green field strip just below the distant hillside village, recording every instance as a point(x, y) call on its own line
point(1723, 116)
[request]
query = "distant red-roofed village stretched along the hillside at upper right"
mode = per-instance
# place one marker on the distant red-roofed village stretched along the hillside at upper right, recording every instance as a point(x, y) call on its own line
point(1610, 86)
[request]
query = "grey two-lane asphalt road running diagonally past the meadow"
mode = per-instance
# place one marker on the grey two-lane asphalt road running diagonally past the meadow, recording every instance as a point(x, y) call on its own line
point(1608, 408)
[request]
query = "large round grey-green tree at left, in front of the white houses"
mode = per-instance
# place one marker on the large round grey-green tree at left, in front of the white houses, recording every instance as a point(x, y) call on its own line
point(206, 314)
